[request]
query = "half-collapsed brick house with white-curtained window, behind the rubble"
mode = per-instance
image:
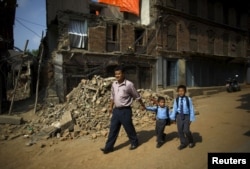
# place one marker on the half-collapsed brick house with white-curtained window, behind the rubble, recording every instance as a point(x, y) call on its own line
point(87, 44)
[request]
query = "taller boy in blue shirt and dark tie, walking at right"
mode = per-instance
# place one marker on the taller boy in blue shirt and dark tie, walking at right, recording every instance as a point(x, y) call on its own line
point(183, 113)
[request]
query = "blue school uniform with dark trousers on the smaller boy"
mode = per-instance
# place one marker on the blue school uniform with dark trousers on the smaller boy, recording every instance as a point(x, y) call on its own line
point(161, 116)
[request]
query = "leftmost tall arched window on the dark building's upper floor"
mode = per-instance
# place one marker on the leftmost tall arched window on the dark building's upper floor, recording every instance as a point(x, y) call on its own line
point(171, 36)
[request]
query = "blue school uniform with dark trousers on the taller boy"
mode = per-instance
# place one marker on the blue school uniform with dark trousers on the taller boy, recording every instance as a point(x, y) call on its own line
point(183, 122)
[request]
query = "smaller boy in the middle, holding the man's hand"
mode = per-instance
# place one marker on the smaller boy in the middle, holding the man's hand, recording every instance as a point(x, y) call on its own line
point(162, 115)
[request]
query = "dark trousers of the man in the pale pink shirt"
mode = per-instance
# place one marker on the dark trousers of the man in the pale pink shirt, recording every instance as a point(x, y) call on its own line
point(121, 116)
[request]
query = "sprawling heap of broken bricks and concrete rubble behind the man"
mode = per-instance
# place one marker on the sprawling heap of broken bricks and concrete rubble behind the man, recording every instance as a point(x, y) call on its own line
point(85, 113)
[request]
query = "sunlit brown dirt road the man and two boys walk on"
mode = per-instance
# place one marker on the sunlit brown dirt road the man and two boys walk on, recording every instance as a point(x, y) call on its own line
point(222, 126)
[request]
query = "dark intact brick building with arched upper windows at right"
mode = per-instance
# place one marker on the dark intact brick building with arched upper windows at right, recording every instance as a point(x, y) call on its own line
point(201, 42)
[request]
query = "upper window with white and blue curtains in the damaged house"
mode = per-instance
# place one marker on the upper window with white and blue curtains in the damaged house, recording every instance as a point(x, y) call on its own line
point(78, 33)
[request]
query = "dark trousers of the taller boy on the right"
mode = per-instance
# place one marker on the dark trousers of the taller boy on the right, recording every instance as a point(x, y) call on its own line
point(183, 126)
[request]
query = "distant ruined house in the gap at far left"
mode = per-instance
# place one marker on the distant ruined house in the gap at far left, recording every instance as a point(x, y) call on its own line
point(25, 82)
